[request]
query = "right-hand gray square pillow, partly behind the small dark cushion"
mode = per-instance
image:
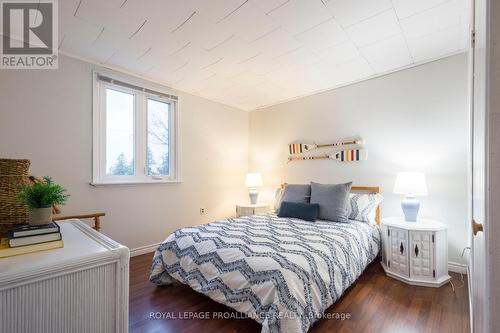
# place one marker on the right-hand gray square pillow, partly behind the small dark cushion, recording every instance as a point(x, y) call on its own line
point(332, 200)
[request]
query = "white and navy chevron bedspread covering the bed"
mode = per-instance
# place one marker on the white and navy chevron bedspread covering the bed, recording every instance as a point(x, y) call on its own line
point(282, 272)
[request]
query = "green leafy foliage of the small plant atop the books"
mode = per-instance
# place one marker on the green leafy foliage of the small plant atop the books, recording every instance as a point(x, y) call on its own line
point(43, 194)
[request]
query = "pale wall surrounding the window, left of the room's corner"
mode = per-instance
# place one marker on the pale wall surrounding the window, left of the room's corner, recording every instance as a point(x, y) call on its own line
point(45, 116)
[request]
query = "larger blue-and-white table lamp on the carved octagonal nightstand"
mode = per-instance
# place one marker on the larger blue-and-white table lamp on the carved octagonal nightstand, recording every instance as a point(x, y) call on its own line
point(411, 184)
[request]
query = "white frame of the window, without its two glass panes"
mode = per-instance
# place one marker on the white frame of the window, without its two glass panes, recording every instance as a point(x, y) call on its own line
point(99, 176)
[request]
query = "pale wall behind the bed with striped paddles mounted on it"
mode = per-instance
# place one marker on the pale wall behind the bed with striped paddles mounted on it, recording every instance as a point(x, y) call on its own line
point(415, 119)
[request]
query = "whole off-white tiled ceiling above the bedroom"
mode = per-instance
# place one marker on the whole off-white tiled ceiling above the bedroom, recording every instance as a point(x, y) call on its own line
point(259, 52)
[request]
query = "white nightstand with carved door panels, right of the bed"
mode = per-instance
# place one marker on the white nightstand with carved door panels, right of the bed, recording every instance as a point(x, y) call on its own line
point(415, 252)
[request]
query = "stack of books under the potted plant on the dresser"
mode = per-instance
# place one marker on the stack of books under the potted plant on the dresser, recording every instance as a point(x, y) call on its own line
point(27, 238)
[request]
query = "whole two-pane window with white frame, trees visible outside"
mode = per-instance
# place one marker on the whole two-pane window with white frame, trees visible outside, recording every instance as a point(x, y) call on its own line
point(134, 133)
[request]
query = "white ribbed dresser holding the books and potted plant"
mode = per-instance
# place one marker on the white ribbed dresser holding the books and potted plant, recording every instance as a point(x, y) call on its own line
point(82, 287)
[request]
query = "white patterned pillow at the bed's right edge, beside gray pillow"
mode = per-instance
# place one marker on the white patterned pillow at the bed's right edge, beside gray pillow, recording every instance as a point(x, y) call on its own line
point(363, 207)
